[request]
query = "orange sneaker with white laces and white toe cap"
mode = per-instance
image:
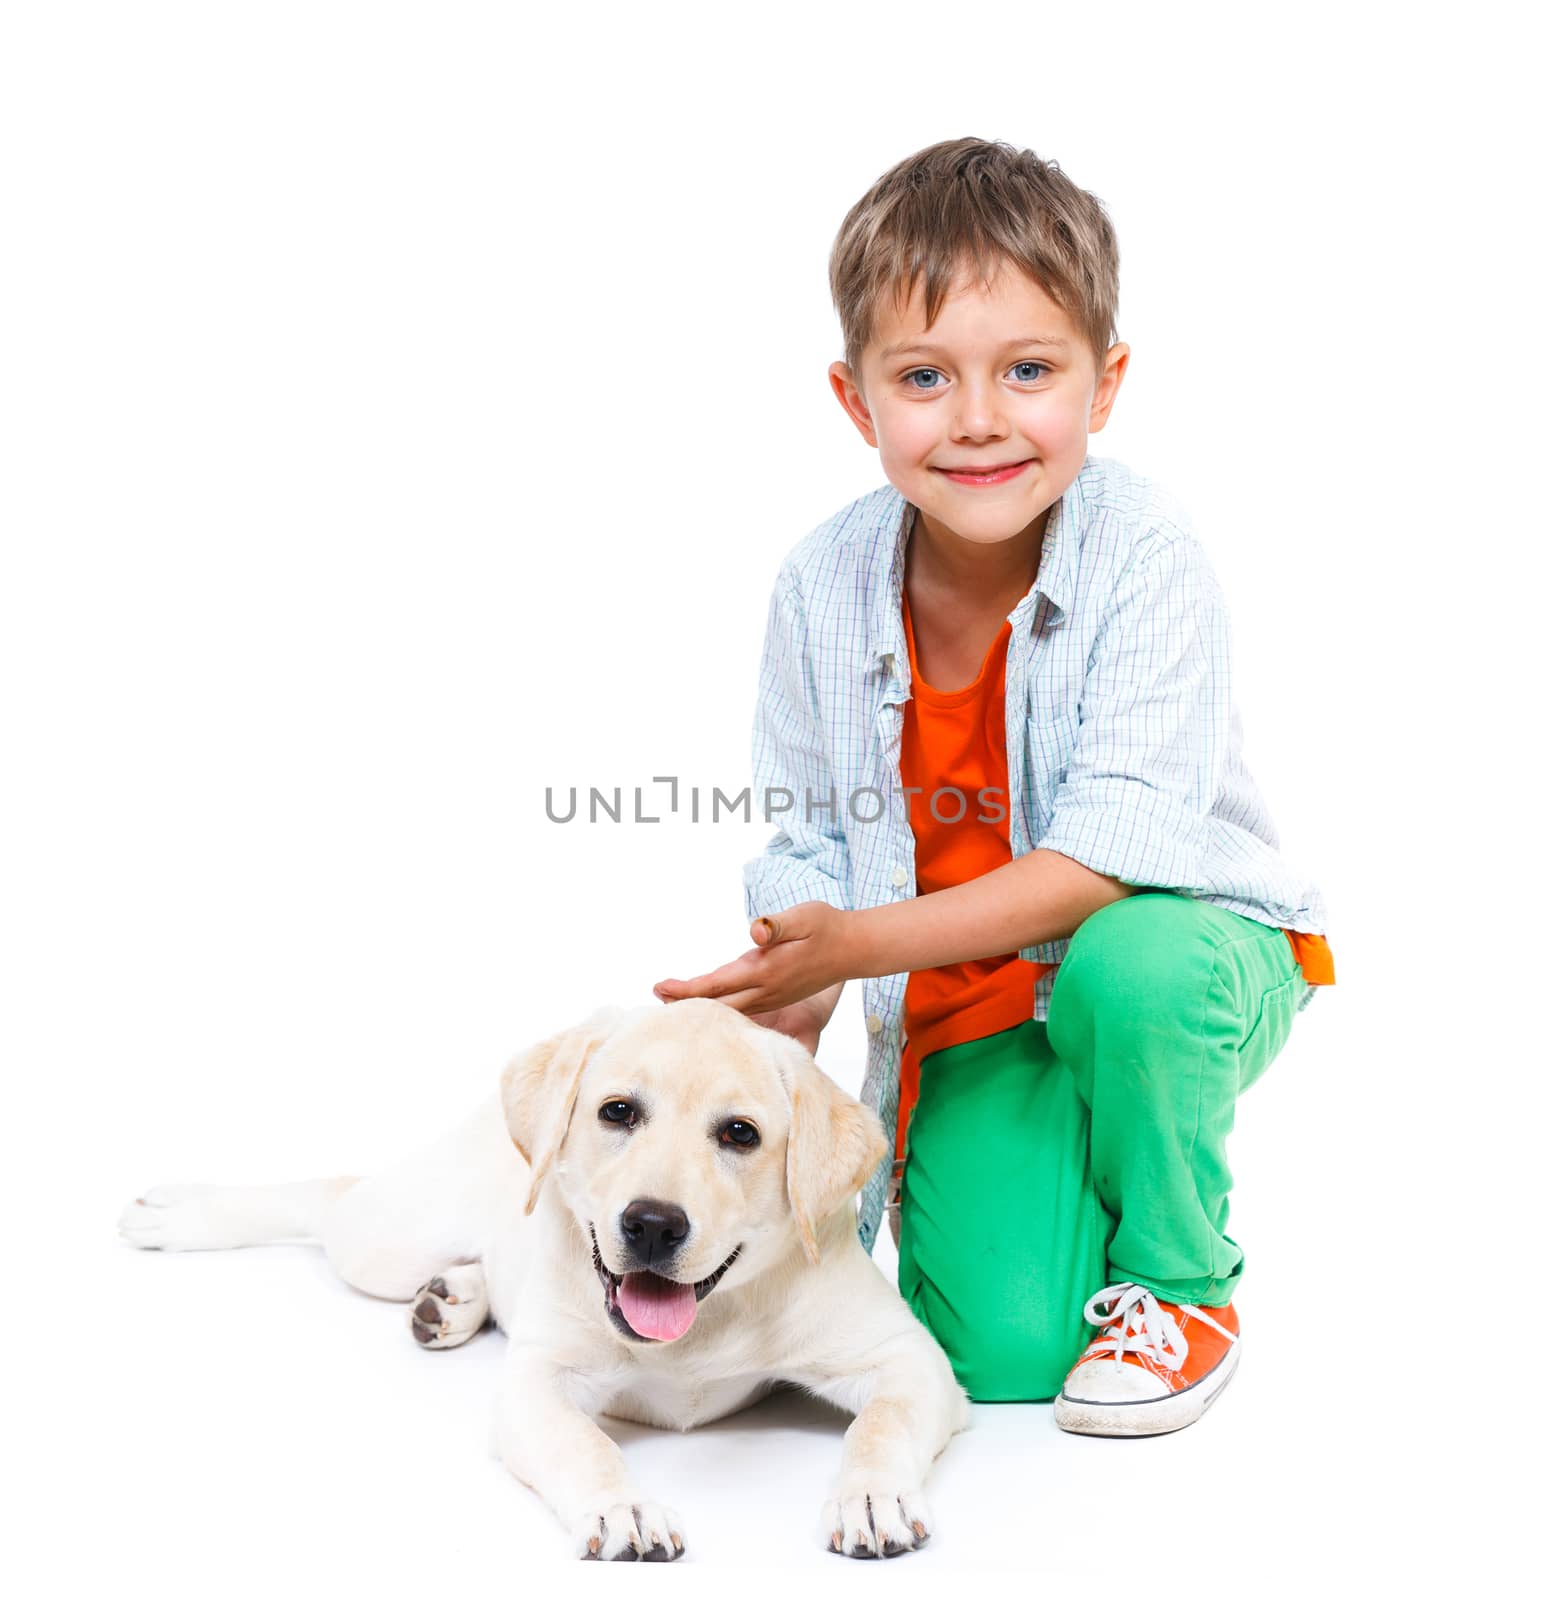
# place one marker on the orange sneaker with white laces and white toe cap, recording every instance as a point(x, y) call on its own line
point(1158, 1369)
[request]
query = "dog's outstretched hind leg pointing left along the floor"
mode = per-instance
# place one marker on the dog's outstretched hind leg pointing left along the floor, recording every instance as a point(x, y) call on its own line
point(209, 1217)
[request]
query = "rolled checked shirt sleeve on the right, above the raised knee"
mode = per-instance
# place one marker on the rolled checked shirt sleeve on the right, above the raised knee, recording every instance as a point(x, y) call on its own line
point(1154, 727)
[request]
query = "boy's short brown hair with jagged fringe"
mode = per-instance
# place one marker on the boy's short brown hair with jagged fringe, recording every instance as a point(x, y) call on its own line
point(982, 201)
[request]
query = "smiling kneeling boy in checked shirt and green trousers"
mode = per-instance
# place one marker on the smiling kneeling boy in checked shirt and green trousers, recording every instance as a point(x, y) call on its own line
point(996, 713)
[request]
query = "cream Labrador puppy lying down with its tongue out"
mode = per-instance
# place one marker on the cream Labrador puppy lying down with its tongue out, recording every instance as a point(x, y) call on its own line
point(657, 1210)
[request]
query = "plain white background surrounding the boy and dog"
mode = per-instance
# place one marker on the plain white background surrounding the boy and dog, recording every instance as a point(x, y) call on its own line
point(407, 409)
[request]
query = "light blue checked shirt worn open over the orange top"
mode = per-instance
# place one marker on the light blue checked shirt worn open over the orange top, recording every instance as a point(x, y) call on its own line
point(1124, 746)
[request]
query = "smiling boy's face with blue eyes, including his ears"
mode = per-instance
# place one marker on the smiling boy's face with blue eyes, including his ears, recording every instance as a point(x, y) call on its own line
point(1002, 378)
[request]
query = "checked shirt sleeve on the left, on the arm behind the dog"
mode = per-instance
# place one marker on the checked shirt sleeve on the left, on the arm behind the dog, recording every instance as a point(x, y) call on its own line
point(807, 860)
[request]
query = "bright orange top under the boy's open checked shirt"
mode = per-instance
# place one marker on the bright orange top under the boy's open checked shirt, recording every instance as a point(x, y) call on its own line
point(958, 742)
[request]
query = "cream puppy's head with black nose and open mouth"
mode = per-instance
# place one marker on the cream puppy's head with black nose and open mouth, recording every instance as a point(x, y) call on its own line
point(689, 1142)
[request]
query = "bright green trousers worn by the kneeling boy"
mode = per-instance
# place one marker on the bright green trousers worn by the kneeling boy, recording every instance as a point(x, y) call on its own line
point(1054, 1159)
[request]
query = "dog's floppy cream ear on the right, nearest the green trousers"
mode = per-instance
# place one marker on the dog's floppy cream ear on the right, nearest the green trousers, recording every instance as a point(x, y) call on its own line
point(834, 1143)
